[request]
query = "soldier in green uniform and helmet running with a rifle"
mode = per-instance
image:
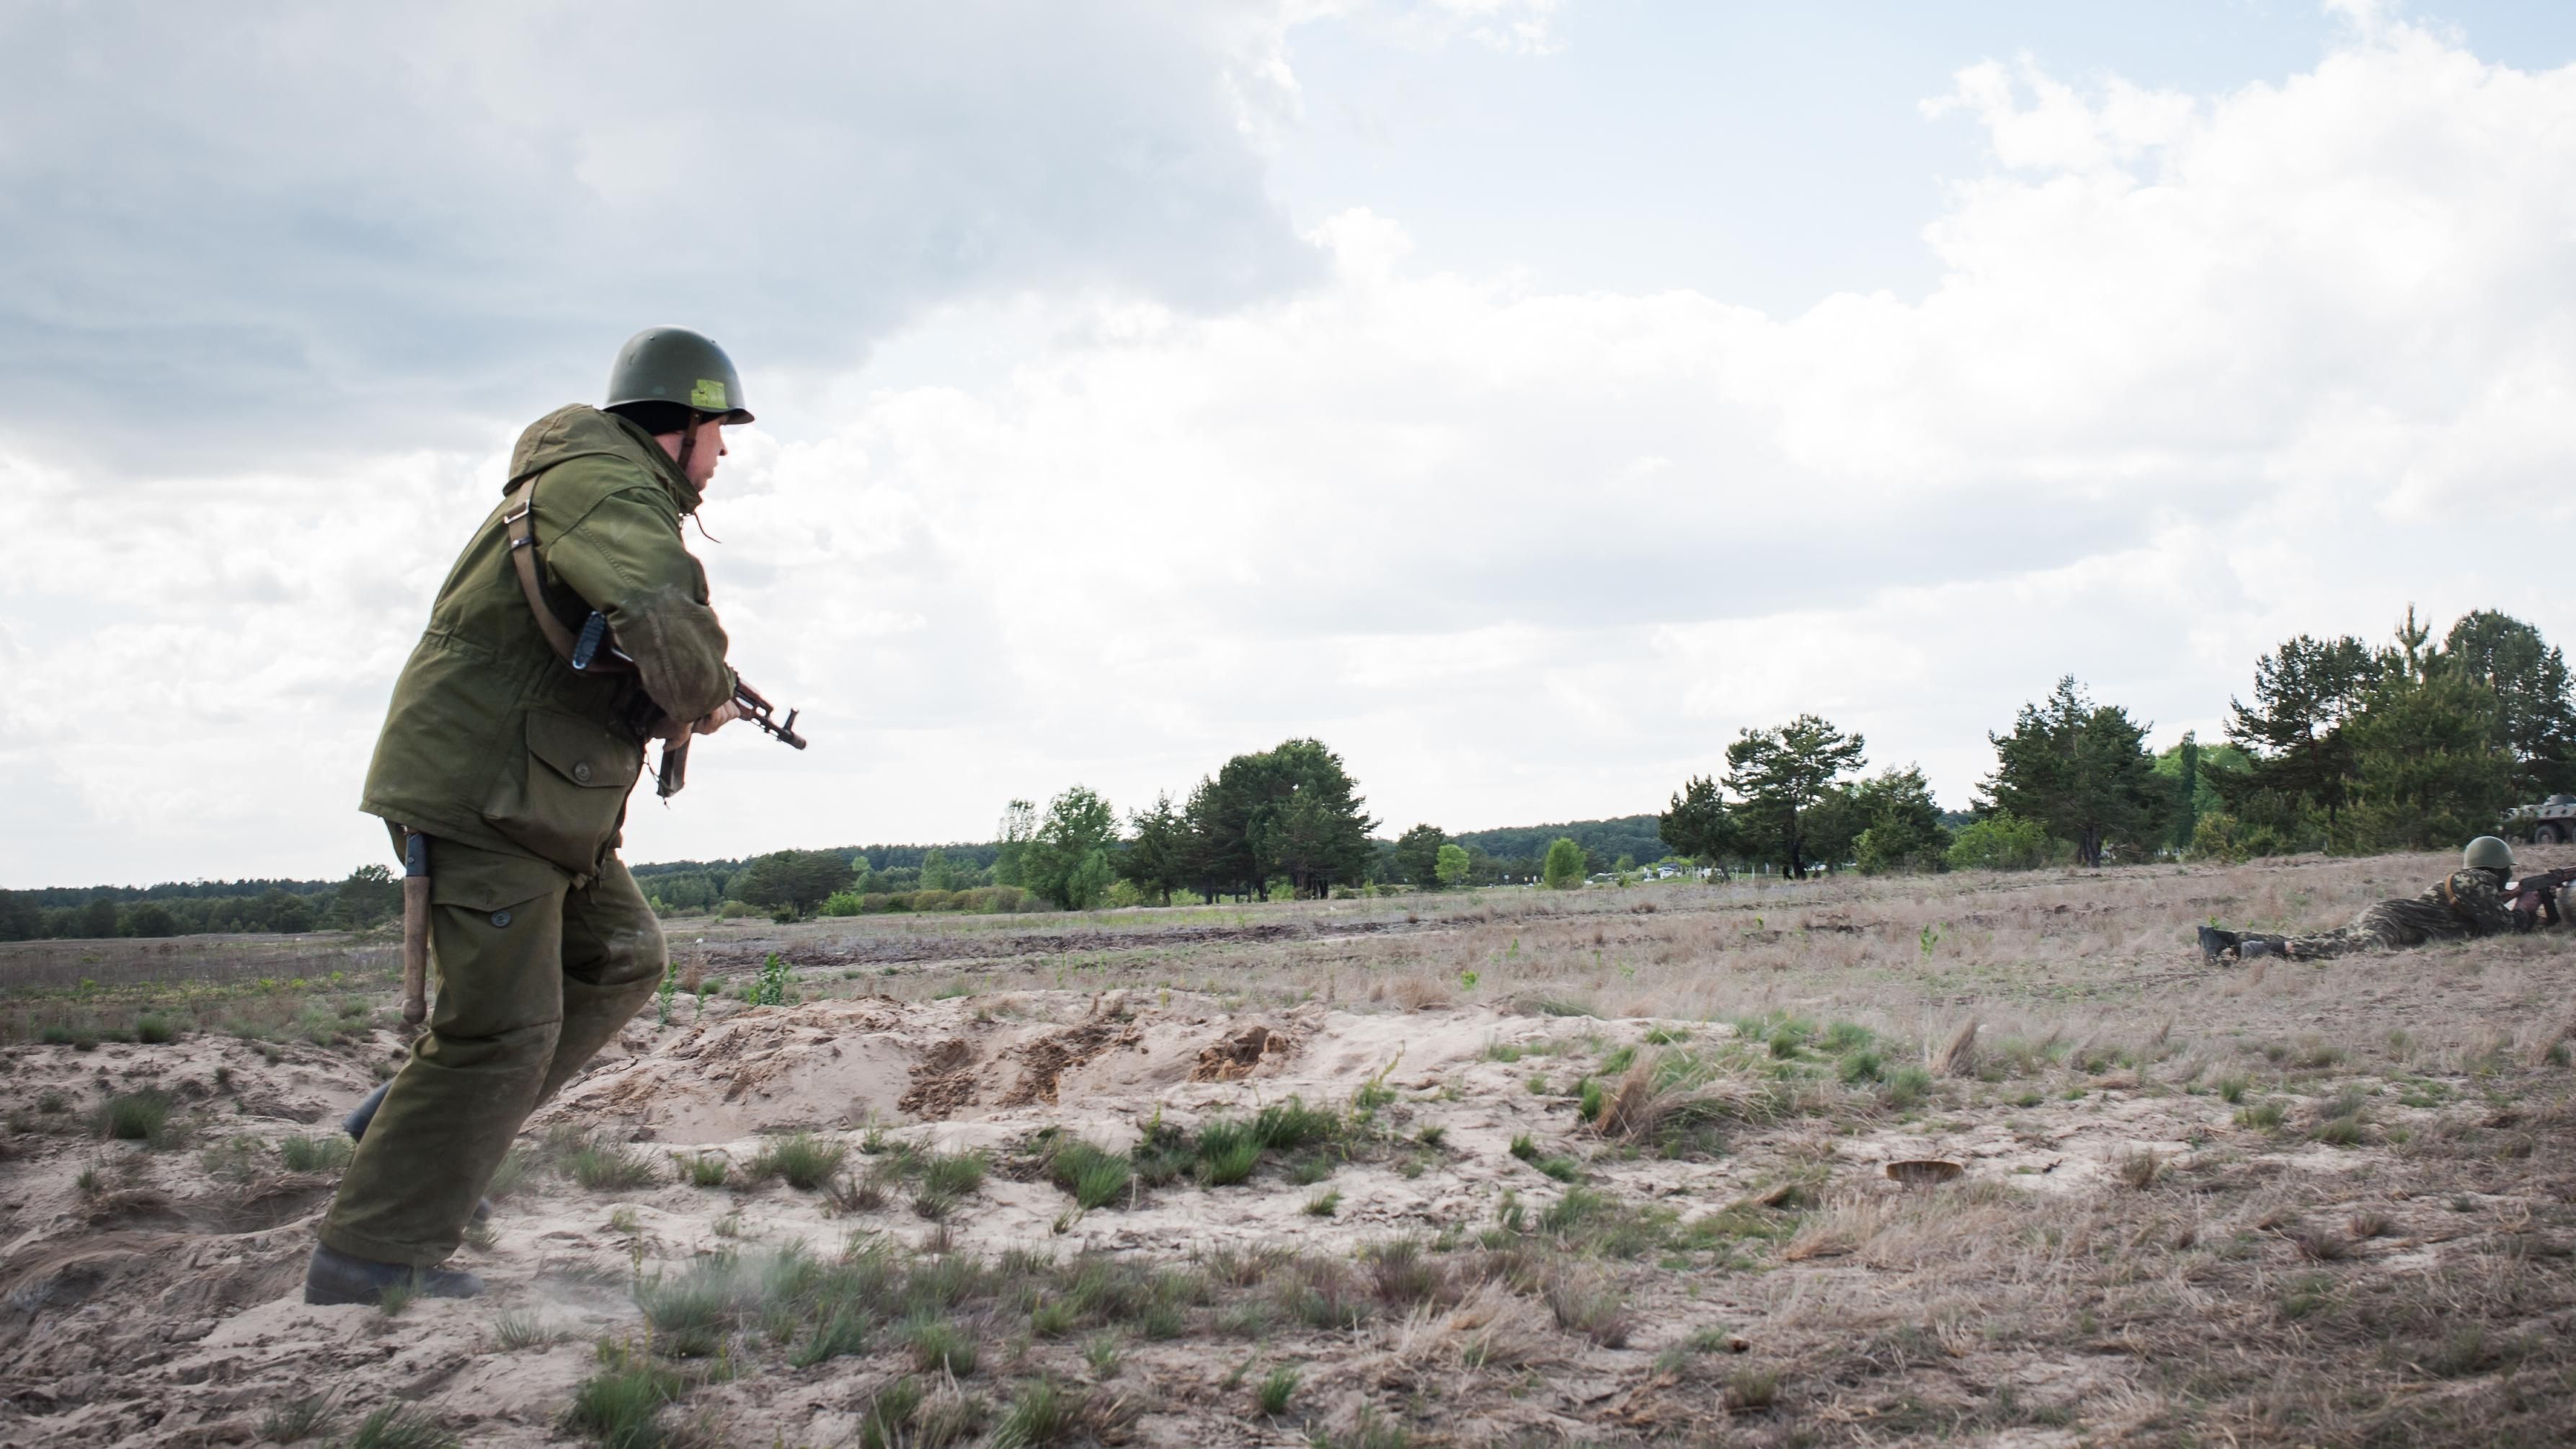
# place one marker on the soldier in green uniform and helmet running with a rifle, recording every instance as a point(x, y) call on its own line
point(516, 767)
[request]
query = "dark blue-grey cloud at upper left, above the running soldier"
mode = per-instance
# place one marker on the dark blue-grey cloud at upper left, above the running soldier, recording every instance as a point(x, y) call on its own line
point(334, 226)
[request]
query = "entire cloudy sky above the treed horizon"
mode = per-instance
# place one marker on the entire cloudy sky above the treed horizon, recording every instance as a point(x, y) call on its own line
point(1516, 396)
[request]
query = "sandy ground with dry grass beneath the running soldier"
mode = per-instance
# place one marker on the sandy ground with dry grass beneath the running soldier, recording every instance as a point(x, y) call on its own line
point(2124, 1257)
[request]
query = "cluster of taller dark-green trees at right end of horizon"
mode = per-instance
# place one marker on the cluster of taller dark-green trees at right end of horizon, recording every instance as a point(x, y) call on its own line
point(2345, 749)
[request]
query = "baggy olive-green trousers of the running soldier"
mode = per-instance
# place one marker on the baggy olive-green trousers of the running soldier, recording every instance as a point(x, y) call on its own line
point(537, 971)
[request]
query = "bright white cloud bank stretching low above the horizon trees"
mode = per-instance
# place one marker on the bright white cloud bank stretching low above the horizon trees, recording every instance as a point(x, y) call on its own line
point(2201, 373)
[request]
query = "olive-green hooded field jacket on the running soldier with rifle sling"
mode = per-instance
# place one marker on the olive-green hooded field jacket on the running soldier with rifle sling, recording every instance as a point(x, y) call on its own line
point(493, 739)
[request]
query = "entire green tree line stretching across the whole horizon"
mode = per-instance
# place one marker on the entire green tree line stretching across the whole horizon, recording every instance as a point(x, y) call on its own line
point(2343, 749)
